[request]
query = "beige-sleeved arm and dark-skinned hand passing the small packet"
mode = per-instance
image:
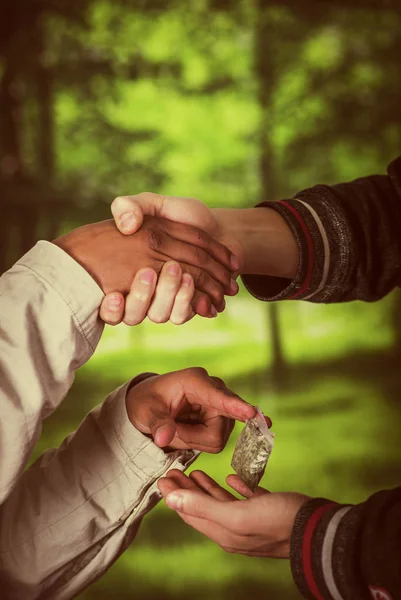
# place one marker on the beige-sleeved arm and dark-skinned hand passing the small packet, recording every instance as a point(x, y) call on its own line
point(76, 509)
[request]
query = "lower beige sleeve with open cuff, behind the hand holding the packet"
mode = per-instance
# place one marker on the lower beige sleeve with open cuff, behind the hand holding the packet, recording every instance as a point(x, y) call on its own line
point(77, 508)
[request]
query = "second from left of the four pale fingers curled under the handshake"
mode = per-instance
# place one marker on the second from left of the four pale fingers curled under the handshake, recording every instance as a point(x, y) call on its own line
point(140, 296)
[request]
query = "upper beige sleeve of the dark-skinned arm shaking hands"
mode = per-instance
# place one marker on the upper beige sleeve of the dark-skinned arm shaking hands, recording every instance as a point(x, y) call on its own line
point(48, 328)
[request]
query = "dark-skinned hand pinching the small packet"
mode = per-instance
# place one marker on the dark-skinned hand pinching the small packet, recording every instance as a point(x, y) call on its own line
point(186, 409)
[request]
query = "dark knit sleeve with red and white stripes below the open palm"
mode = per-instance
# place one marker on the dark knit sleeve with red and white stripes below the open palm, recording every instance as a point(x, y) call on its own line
point(344, 552)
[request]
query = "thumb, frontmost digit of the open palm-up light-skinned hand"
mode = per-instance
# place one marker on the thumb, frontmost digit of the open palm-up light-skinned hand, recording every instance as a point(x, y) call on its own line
point(200, 505)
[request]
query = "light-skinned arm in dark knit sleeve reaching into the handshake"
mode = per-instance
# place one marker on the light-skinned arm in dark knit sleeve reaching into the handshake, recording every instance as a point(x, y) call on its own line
point(328, 244)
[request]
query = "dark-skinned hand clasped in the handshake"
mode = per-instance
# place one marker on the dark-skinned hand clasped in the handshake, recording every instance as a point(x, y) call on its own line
point(113, 259)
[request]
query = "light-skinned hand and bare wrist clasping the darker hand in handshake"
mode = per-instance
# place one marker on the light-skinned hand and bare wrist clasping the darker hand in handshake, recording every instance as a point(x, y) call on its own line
point(259, 238)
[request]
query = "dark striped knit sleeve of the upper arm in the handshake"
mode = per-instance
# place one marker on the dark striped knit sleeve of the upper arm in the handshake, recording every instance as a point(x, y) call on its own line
point(349, 240)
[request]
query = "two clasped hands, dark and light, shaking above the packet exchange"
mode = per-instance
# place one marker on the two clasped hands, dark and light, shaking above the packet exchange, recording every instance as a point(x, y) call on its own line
point(182, 259)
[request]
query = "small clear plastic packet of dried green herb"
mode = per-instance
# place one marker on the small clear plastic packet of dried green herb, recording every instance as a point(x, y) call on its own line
point(252, 450)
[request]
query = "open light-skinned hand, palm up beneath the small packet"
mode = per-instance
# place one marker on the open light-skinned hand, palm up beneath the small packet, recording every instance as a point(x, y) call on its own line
point(260, 525)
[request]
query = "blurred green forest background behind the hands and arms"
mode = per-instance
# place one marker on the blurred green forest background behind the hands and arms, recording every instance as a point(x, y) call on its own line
point(230, 101)
